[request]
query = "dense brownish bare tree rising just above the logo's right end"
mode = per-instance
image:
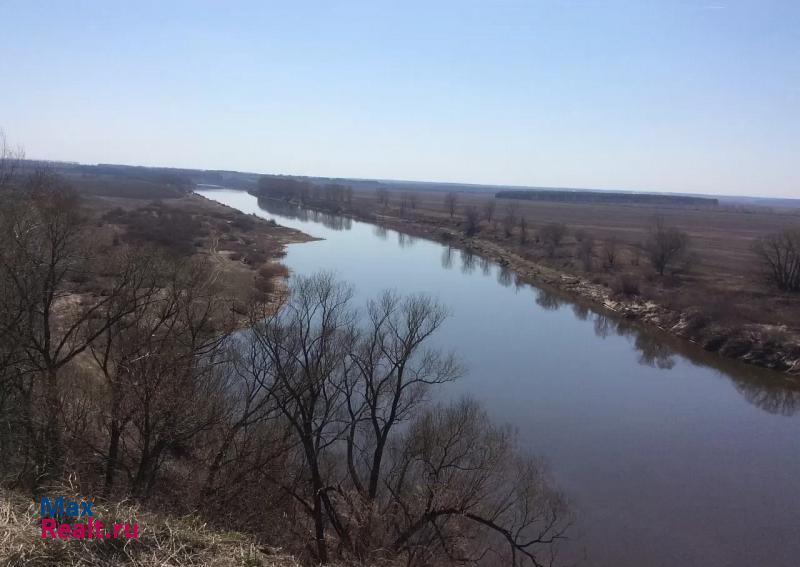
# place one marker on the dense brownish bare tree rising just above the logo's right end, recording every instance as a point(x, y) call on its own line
point(155, 362)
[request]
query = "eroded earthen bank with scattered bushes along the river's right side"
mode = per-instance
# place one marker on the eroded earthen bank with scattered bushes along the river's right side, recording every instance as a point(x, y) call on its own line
point(761, 344)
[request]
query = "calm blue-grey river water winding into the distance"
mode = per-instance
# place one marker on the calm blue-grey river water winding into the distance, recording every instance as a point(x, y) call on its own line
point(670, 456)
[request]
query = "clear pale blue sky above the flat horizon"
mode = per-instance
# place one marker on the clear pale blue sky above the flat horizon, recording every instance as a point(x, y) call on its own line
point(679, 95)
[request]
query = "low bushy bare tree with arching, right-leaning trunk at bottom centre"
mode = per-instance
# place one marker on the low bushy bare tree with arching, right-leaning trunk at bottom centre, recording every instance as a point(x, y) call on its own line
point(462, 489)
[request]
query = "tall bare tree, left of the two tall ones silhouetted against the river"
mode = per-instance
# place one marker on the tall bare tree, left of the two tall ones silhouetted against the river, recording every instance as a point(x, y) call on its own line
point(306, 345)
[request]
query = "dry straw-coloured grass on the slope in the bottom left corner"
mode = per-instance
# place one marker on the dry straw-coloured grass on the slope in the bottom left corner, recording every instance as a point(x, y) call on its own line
point(162, 541)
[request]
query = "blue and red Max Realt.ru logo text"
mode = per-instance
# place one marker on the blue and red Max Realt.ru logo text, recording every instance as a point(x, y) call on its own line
point(59, 521)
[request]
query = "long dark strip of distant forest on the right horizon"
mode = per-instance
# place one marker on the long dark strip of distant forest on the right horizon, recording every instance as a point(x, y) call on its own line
point(606, 197)
